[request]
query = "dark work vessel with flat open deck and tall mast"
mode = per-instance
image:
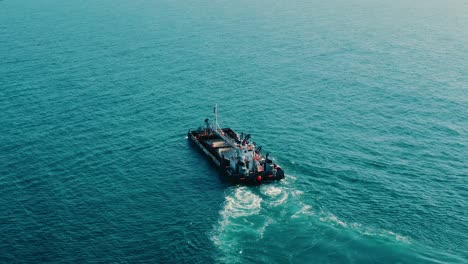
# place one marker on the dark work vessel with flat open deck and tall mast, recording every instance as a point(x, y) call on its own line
point(238, 159)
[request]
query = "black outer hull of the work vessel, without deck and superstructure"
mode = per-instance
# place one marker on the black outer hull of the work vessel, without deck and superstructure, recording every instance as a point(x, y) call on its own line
point(198, 140)
